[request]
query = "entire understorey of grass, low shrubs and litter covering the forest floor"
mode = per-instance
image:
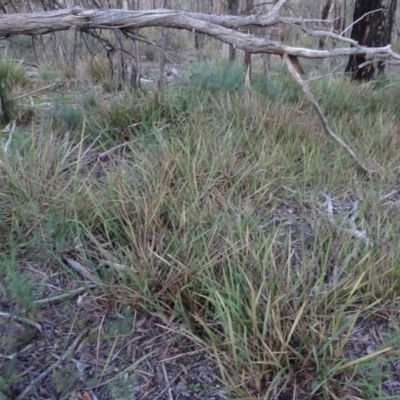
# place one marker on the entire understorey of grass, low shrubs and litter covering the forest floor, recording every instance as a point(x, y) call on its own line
point(224, 215)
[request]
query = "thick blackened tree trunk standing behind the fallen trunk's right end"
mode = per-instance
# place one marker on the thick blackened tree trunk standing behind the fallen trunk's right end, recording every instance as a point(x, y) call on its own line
point(373, 29)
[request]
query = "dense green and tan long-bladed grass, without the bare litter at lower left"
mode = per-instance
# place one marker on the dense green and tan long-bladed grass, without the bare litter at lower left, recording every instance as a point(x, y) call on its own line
point(218, 214)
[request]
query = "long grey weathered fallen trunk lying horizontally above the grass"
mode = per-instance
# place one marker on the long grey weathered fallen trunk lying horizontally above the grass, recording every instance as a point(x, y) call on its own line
point(220, 27)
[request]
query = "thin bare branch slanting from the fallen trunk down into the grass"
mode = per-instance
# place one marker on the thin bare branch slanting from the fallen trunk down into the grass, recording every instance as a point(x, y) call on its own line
point(325, 124)
